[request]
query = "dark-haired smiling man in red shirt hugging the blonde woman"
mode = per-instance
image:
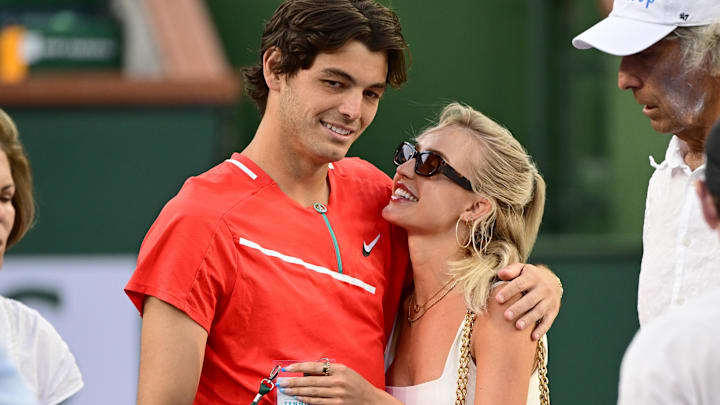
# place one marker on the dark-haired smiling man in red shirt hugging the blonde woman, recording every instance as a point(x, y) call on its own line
point(281, 253)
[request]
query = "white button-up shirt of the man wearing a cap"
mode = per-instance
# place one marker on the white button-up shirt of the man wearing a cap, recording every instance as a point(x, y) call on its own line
point(681, 253)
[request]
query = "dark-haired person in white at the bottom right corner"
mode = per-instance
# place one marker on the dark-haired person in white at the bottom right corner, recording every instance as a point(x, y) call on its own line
point(675, 359)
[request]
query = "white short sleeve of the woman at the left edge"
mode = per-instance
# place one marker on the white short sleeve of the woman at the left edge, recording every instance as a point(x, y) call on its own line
point(43, 357)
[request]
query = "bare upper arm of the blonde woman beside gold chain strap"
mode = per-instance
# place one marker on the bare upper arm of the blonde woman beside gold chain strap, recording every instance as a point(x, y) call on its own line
point(504, 356)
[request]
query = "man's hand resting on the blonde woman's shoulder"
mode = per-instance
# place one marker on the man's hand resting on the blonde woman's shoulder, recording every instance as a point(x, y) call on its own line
point(542, 292)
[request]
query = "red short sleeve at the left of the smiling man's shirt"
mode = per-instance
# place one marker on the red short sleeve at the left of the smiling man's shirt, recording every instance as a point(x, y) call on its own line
point(188, 259)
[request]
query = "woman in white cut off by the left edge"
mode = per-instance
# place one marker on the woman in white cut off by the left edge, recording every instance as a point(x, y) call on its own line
point(31, 343)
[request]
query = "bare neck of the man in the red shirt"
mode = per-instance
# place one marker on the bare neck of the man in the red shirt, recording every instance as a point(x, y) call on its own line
point(300, 178)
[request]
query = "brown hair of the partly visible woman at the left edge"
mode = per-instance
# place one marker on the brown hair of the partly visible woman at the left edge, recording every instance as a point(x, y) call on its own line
point(23, 200)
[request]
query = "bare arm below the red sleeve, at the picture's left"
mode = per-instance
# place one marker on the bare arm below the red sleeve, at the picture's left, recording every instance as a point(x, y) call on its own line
point(171, 355)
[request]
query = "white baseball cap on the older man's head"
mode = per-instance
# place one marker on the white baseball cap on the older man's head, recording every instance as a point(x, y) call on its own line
point(635, 25)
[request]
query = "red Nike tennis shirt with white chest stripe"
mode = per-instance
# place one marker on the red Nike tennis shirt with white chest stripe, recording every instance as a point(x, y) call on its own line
point(259, 272)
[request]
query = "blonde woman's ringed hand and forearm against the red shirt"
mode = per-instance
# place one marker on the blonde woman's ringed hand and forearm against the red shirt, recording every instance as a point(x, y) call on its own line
point(341, 385)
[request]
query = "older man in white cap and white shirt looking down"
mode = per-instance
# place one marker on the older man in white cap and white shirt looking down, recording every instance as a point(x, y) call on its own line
point(671, 61)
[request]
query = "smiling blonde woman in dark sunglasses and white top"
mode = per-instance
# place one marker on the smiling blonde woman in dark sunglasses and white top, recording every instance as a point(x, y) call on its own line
point(471, 201)
